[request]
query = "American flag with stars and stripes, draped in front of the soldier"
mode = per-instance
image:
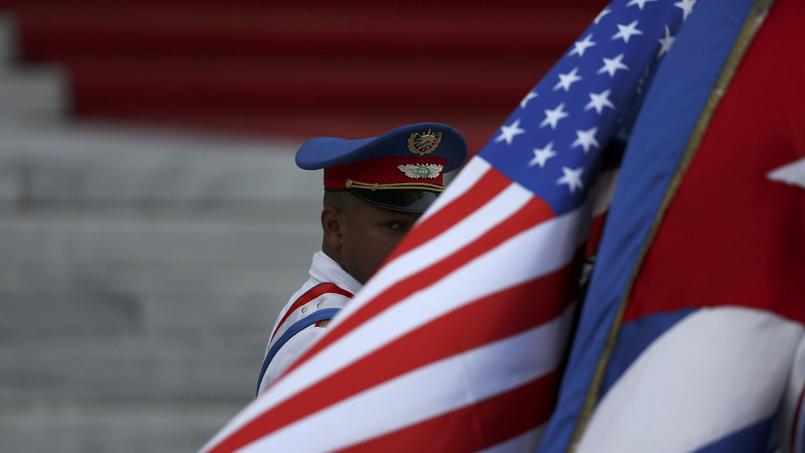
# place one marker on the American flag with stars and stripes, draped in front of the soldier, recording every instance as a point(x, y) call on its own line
point(457, 343)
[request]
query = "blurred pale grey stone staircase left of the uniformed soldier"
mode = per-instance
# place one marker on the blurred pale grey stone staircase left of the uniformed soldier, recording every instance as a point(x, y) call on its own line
point(140, 272)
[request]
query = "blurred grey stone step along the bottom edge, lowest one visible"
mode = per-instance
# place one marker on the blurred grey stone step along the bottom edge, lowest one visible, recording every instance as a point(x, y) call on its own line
point(128, 428)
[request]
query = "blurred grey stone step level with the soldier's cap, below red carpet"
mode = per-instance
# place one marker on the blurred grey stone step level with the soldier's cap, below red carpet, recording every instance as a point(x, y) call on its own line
point(98, 163)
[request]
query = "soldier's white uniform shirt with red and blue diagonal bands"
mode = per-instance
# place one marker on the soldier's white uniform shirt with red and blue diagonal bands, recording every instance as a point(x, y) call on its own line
point(327, 290)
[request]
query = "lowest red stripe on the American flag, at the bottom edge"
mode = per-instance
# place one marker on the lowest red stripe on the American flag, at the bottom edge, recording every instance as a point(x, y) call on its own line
point(477, 426)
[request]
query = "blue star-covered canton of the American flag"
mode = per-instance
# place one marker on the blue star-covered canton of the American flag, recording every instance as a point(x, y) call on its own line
point(553, 142)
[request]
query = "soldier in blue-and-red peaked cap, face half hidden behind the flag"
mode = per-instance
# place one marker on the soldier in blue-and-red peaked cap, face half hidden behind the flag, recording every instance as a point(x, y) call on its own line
point(374, 191)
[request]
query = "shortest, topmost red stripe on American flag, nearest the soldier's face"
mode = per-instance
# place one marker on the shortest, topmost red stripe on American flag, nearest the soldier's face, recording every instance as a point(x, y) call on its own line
point(487, 187)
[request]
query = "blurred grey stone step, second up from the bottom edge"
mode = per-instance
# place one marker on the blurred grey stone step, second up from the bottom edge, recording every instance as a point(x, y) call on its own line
point(210, 367)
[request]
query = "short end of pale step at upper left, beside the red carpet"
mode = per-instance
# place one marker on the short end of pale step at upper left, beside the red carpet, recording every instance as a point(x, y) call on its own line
point(31, 93)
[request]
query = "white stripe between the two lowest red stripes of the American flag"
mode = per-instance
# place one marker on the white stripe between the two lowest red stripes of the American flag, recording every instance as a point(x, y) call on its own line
point(440, 387)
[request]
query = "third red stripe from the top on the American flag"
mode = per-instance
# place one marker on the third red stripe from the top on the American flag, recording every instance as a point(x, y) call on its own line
point(488, 319)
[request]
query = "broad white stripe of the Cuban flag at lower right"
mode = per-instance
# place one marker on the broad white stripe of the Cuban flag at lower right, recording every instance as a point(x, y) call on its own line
point(715, 372)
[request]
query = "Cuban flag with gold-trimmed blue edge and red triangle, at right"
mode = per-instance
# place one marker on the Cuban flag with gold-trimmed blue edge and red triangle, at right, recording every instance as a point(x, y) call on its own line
point(691, 336)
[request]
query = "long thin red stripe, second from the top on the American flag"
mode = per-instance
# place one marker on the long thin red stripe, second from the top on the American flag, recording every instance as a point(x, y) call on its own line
point(533, 213)
